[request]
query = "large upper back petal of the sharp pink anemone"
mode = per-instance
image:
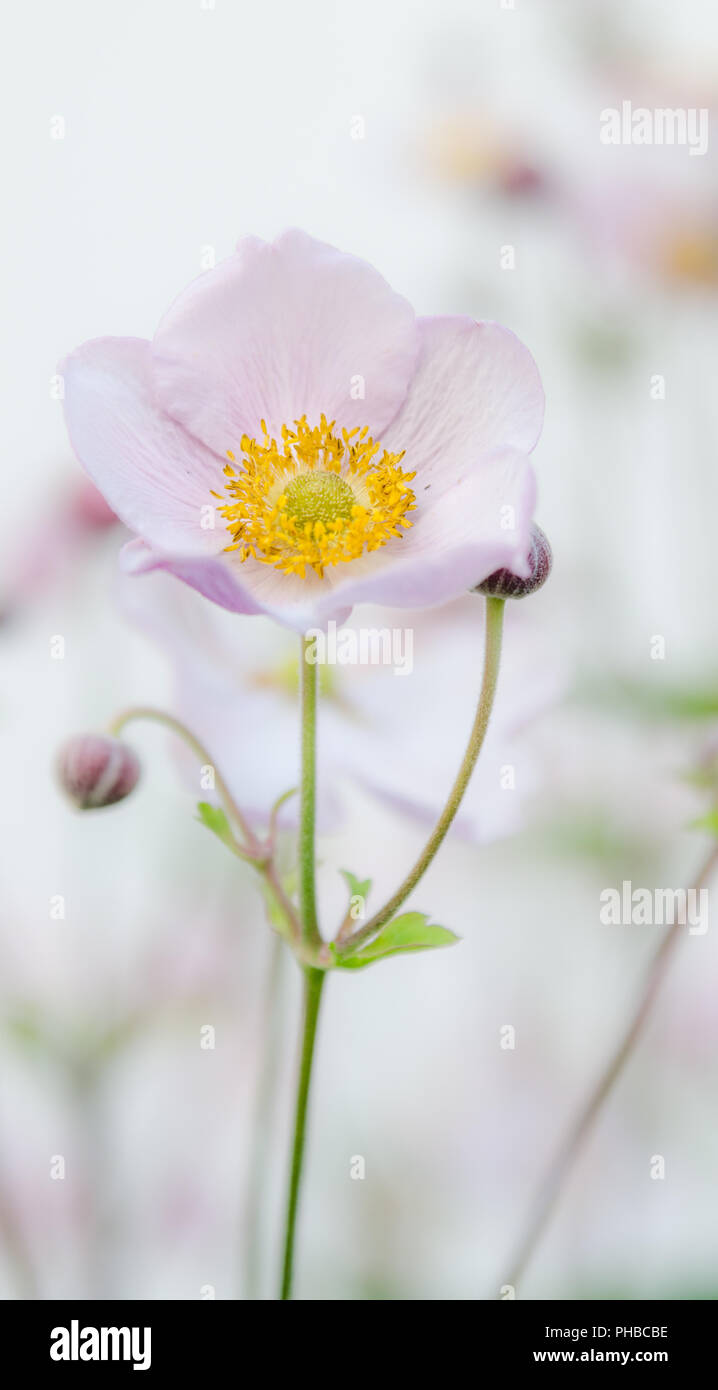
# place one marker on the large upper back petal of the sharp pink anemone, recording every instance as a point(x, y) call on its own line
point(283, 330)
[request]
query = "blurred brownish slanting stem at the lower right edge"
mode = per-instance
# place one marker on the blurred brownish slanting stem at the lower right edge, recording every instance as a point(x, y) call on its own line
point(573, 1145)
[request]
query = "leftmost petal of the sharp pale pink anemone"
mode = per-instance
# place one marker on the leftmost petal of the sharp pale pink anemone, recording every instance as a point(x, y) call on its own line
point(155, 476)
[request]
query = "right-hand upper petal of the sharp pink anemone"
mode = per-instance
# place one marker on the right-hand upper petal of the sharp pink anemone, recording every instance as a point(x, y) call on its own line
point(476, 390)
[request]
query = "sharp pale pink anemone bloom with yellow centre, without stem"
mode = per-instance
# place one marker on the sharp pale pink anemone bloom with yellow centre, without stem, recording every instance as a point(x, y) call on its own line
point(374, 457)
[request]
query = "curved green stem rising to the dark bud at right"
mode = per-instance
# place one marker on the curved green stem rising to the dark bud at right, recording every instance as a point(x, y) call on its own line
point(495, 616)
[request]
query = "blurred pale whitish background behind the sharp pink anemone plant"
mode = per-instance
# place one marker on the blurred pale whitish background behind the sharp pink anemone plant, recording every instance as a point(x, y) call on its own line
point(458, 148)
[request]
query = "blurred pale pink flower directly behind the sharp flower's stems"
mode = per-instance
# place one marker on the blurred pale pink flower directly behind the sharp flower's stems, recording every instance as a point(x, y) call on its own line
point(398, 726)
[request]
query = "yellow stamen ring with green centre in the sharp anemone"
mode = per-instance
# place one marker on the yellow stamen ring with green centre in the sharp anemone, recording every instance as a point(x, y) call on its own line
point(315, 498)
